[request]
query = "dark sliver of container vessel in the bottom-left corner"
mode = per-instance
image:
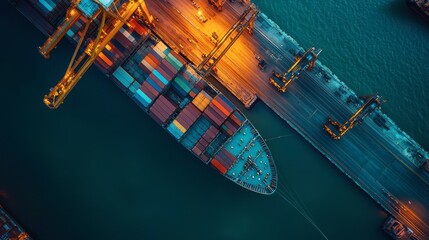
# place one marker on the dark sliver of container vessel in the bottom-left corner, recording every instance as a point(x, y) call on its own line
point(9, 229)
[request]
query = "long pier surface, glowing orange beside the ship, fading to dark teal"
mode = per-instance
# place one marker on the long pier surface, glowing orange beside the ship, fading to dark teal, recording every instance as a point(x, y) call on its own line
point(380, 161)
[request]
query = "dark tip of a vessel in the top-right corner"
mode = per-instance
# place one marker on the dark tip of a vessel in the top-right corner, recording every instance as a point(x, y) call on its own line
point(399, 10)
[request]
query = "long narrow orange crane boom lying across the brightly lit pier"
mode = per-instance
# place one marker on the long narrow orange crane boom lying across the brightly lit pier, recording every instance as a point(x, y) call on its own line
point(244, 22)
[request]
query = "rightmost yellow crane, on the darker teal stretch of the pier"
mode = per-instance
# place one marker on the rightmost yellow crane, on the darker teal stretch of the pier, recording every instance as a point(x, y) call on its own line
point(372, 102)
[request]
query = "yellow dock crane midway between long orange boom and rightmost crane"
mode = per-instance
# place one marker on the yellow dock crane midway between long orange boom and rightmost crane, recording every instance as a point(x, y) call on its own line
point(305, 62)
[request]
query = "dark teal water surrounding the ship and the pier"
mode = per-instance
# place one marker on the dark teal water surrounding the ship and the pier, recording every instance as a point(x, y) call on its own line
point(101, 168)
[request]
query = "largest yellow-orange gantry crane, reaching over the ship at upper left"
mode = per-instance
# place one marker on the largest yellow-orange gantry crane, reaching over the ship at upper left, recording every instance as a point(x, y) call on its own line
point(83, 58)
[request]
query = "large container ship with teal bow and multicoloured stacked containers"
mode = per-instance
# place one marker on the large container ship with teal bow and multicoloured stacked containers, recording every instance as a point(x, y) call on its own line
point(172, 91)
